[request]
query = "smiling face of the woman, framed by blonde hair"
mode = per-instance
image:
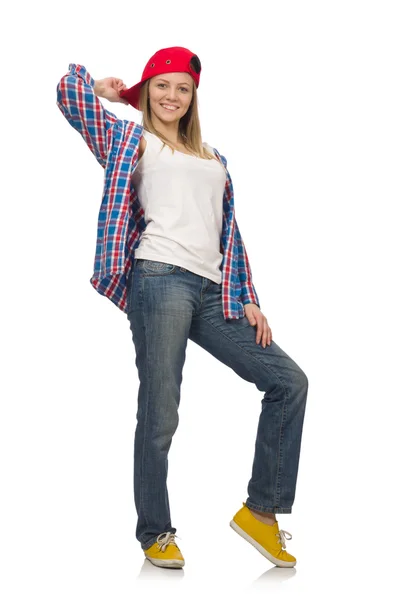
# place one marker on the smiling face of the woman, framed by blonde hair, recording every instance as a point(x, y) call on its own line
point(170, 89)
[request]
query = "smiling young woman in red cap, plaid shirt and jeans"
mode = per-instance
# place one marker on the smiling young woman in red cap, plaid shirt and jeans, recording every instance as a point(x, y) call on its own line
point(170, 255)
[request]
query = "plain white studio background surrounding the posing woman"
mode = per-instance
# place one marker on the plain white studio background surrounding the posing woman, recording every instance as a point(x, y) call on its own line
point(301, 99)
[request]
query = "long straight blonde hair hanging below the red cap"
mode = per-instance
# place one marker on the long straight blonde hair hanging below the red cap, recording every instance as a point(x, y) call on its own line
point(189, 124)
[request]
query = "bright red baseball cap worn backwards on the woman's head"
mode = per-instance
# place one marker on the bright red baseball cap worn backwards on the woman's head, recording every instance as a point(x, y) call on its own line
point(167, 60)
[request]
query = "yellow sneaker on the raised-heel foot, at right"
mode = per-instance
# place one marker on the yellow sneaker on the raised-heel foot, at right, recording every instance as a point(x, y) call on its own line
point(268, 539)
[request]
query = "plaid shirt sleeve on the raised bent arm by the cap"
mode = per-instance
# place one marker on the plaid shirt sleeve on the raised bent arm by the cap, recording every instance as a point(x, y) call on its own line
point(85, 112)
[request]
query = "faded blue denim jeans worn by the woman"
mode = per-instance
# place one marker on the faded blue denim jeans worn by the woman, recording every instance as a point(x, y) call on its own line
point(166, 306)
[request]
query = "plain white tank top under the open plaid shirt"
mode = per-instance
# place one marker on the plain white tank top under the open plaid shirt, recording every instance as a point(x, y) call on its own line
point(182, 198)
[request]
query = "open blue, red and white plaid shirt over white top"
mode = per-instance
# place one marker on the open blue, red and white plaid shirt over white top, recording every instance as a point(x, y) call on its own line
point(115, 144)
